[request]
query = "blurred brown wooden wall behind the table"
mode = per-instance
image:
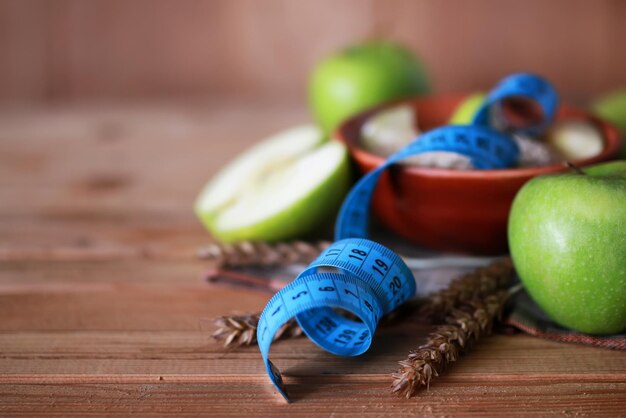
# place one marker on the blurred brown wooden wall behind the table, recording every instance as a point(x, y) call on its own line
point(60, 50)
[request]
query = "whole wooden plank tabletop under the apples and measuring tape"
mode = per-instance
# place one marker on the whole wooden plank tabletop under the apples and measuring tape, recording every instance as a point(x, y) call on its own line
point(103, 308)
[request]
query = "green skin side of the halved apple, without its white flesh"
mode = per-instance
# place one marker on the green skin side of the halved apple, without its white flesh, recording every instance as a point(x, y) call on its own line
point(296, 221)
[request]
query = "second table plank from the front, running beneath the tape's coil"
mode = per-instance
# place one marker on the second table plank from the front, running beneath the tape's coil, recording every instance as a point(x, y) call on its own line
point(93, 355)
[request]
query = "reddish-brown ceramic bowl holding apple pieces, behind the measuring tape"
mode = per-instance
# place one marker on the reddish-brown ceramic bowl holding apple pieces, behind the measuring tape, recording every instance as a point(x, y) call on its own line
point(451, 210)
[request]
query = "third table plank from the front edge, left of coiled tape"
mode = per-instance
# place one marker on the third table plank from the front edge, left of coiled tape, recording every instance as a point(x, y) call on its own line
point(123, 294)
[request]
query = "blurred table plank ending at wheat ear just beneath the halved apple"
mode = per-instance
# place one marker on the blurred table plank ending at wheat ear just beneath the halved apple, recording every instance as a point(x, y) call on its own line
point(100, 235)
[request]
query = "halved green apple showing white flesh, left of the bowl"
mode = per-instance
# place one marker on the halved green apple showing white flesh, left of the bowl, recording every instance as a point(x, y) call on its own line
point(282, 188)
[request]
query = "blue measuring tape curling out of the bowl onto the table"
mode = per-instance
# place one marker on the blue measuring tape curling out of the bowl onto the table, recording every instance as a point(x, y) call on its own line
point(365, 278)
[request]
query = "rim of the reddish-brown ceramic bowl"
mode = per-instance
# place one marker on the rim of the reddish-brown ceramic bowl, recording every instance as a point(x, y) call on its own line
point(610, 134)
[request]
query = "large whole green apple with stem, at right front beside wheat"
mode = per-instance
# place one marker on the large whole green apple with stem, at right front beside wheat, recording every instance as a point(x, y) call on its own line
point(567, 236)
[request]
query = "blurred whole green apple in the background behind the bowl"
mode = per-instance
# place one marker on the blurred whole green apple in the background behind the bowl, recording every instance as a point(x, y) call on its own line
point(363, 76)
